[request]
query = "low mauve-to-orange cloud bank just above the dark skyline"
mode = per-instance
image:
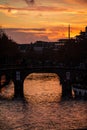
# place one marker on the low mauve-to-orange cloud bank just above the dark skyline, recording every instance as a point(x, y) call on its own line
point(28, 35)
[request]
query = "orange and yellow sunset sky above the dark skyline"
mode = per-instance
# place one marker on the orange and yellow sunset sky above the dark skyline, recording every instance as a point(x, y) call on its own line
point(27, 21)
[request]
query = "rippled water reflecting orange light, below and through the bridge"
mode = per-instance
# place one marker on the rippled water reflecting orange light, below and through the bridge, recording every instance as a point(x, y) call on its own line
point(43, 107)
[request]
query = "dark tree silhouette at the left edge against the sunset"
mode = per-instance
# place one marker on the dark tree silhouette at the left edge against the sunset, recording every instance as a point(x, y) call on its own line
point(8, 48)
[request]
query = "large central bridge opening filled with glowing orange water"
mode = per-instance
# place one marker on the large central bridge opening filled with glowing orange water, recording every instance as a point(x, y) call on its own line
point(40, 87)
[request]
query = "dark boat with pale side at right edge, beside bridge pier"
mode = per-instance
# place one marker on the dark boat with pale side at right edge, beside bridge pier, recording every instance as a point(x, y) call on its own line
point(80, 90)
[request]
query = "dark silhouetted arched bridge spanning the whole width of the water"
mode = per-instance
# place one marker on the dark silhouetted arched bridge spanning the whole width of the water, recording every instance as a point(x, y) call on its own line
point(67, 75)
